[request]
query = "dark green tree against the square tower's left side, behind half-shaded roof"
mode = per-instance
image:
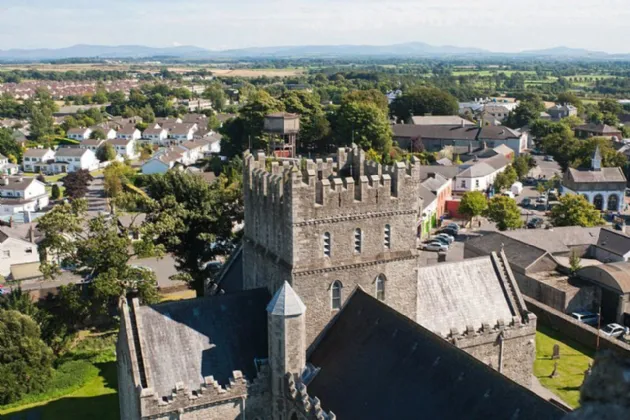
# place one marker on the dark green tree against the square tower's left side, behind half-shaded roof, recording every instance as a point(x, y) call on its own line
point(204, 216)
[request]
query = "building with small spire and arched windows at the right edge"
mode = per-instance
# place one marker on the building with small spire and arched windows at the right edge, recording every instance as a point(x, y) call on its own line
point(603, 187)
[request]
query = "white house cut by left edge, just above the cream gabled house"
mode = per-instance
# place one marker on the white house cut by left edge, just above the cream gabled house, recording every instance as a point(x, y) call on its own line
point(19, 194)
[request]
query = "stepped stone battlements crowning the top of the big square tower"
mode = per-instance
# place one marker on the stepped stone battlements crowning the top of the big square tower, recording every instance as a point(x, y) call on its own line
point(350, 181)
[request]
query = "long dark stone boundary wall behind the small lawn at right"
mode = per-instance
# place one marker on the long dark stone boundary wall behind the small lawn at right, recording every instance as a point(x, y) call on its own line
point(571, 328)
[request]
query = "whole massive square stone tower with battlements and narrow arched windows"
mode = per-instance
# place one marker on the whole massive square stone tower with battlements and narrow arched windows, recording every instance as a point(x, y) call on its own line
point(328, 226)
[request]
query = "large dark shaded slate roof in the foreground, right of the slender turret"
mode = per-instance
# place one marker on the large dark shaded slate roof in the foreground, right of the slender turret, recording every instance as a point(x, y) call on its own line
point(378, 364)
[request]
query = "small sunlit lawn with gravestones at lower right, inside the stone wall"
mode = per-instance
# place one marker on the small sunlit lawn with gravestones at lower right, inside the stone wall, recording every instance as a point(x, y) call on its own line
point(573, 362)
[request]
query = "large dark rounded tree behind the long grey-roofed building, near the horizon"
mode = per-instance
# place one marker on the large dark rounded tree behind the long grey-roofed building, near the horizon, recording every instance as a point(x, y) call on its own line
point(422, 101)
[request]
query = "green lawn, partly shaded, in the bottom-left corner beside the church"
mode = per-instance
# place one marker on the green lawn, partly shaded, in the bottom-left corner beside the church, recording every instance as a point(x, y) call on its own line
point(95, 399)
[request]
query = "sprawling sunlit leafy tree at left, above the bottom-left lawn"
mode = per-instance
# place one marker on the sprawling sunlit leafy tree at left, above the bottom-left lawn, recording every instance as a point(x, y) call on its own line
point(98, 248)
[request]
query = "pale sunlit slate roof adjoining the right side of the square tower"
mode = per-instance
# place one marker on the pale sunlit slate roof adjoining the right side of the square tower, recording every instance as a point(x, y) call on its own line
point(455, 295)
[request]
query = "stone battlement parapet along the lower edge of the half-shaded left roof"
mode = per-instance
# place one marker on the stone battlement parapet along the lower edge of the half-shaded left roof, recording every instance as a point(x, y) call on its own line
point(209, 393)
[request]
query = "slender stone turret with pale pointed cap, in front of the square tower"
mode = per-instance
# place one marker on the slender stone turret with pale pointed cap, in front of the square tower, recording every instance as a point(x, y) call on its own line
point(287, 344)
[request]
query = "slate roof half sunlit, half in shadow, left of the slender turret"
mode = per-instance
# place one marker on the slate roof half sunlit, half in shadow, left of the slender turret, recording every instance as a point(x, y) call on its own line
point(188, 340)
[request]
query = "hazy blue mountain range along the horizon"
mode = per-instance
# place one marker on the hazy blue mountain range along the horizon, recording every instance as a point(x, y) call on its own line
point(410, 49)
